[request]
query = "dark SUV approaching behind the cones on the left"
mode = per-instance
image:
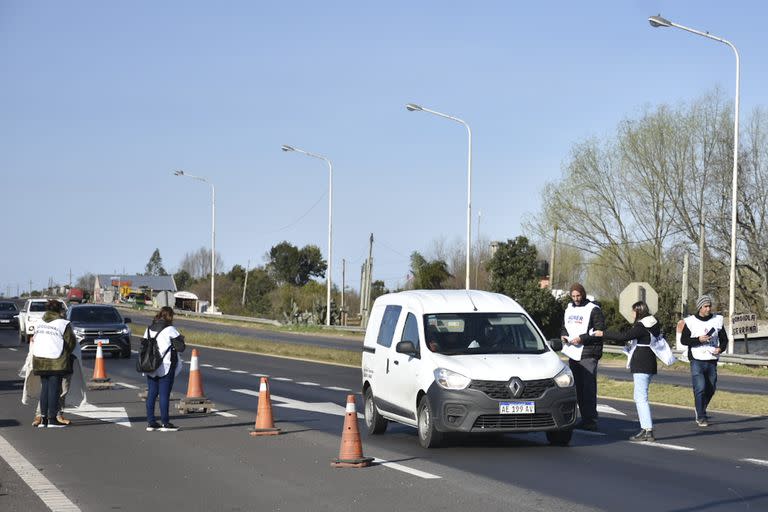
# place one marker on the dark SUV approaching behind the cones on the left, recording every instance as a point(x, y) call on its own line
point(94, 323)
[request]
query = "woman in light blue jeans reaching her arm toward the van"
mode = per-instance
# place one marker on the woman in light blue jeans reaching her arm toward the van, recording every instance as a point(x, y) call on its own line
point(642, 363)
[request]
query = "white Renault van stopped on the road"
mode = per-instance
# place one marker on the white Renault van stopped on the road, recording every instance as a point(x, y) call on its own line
point(463, 361)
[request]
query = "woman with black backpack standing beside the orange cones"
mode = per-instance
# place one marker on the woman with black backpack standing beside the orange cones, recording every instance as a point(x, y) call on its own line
point(160, 381)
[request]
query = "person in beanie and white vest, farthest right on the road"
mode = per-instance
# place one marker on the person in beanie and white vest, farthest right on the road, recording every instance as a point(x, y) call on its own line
point(705, 338)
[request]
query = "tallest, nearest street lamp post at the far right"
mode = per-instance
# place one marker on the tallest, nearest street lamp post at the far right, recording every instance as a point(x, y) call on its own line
point(658, 21)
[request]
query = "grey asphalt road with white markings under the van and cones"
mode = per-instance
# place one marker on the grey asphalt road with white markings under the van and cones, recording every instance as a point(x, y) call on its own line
point(212, 463)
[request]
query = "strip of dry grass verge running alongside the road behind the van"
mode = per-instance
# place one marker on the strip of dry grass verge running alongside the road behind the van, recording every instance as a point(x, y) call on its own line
point(659, 393)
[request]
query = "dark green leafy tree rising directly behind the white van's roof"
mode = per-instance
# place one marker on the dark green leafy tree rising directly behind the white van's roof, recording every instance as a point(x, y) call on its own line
point(513, 271)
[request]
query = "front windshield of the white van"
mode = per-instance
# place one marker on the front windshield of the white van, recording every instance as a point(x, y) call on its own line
point(482, 333)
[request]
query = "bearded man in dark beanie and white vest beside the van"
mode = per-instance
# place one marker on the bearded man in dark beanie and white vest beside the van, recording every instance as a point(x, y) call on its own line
point(582, 317)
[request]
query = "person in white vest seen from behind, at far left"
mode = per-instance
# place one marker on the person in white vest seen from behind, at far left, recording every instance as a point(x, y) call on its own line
point(54, 343)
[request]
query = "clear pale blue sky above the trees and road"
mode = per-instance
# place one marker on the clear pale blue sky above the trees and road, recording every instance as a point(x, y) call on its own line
point(101, 101)
